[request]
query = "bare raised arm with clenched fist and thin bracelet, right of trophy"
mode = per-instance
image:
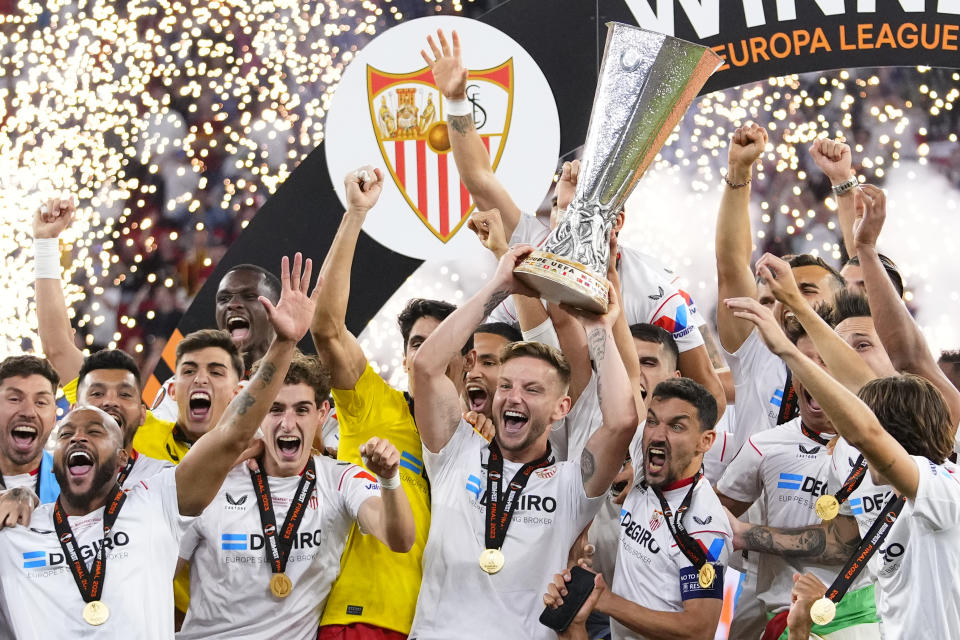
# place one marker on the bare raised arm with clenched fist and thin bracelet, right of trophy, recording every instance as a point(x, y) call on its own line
point(734, 241)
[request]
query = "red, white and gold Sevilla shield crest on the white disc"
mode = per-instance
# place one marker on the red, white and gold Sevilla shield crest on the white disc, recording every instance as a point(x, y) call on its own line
point(407, 112)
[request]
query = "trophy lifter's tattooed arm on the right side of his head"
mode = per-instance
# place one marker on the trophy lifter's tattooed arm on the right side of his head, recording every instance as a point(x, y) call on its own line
point(603, 455)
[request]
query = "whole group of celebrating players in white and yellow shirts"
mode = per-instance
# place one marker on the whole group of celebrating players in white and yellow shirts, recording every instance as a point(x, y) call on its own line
point(806, 443)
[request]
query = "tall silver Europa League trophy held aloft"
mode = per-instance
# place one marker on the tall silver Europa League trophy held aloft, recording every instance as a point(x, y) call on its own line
point(647, 82)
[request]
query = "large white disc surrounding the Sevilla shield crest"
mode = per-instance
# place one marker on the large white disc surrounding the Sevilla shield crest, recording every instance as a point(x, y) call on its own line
point(530, 151)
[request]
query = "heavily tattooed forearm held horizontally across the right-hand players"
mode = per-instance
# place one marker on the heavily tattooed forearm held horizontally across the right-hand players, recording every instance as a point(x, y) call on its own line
point(825, 543)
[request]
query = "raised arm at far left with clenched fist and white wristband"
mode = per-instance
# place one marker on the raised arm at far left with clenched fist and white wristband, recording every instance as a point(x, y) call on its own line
point(56, 334)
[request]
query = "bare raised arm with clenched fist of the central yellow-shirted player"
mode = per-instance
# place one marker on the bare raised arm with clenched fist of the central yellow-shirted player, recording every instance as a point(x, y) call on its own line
point(335, 345)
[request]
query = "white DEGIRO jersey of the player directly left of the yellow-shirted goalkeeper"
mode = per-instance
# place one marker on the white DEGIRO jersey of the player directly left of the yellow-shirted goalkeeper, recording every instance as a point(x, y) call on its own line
point(229, 569)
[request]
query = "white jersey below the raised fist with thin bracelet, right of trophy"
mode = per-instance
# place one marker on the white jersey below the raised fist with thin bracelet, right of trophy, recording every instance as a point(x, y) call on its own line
point(759, 378)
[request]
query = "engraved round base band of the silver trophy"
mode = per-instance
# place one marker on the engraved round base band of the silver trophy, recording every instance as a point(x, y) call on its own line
point(563, 281)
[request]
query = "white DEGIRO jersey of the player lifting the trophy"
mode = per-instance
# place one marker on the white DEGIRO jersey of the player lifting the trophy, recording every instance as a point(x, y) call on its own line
point(457, 599)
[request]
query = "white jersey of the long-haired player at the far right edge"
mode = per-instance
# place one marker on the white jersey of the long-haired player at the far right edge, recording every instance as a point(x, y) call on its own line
point(918, 563)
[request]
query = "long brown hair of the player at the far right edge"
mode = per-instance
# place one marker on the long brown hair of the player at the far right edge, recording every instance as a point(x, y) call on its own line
point(914, 412)
